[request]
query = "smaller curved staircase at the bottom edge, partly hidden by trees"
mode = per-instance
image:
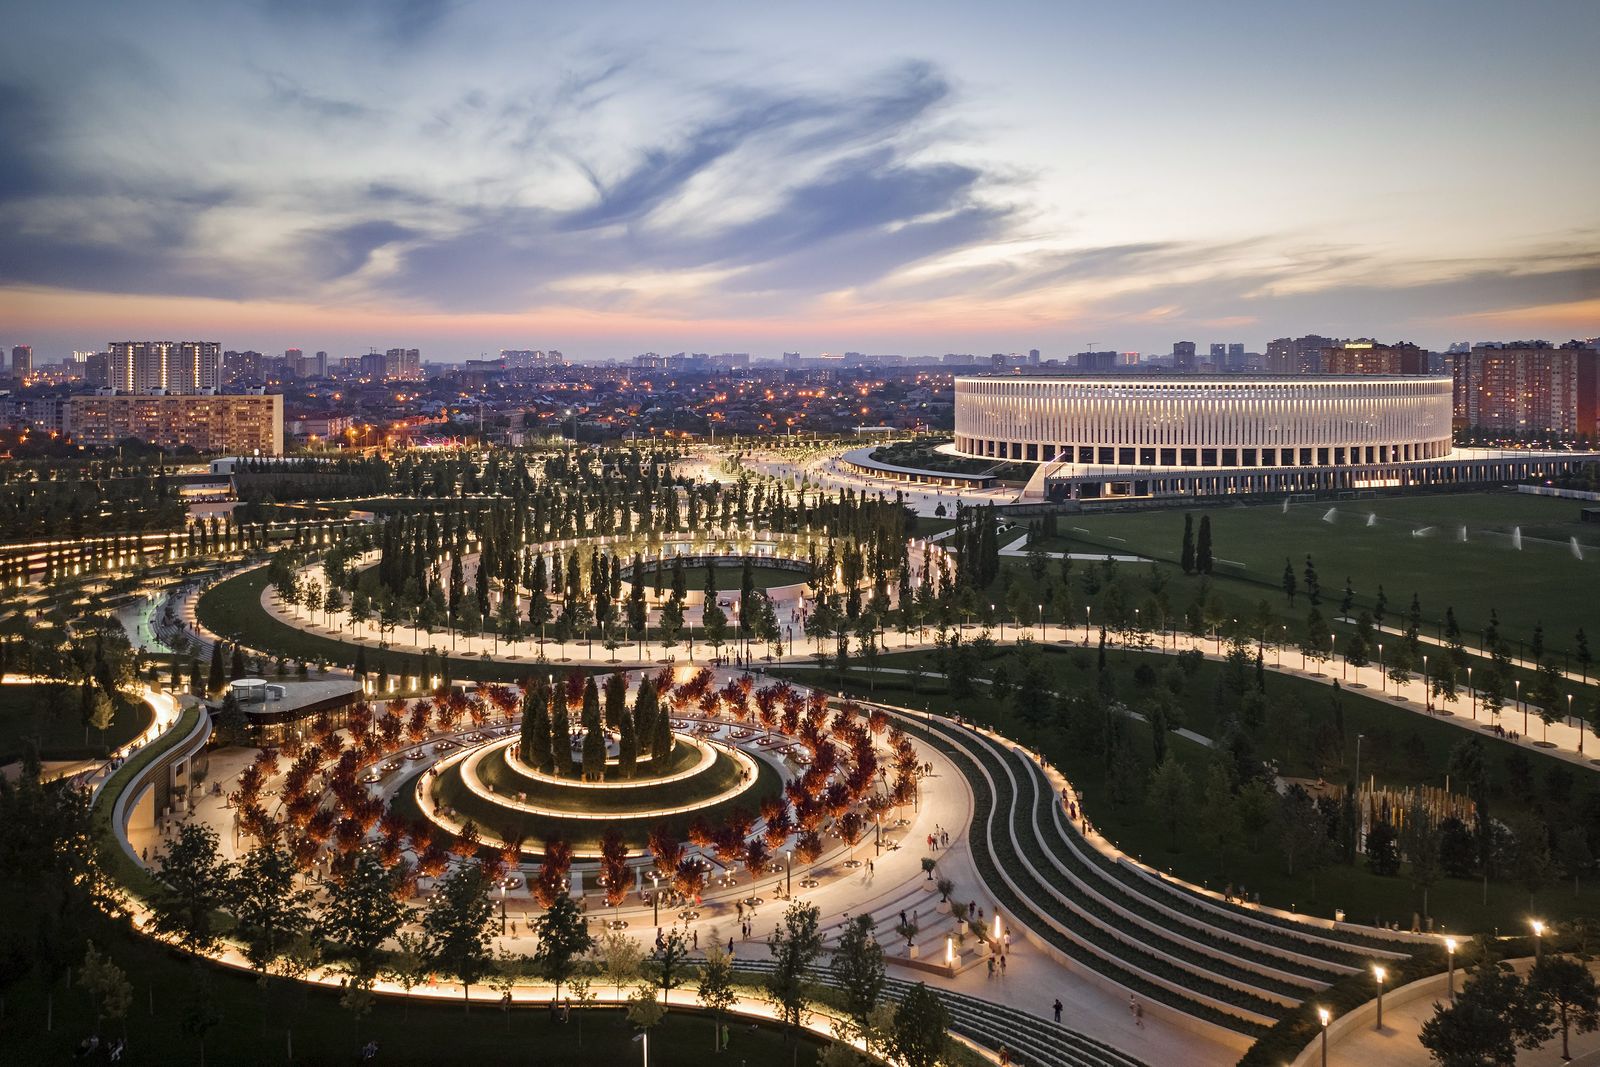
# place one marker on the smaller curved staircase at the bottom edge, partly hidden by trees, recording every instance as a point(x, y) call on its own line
point(1033, 1041)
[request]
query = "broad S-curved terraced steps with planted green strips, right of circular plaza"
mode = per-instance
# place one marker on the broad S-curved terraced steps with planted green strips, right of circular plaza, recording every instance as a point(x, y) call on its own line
point(1233, 967)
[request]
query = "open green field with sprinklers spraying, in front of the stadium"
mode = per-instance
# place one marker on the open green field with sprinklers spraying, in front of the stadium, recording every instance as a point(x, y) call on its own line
point(1412, 546)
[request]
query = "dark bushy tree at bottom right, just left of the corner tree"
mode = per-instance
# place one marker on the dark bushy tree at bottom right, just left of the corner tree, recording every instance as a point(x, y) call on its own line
point(1492, 1018)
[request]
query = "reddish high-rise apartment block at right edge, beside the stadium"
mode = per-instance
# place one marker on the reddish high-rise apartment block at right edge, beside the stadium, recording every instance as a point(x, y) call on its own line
point(1530, 388)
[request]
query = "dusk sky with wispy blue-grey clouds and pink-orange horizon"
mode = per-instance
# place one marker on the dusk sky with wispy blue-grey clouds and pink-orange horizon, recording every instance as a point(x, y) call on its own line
point(919, 178)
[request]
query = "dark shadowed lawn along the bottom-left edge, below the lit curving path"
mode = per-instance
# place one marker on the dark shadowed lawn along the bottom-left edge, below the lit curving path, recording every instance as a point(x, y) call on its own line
point(257, 1026)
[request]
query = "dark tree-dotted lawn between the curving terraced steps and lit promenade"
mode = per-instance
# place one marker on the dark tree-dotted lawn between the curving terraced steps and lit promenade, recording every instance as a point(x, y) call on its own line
point(1401, 748)
